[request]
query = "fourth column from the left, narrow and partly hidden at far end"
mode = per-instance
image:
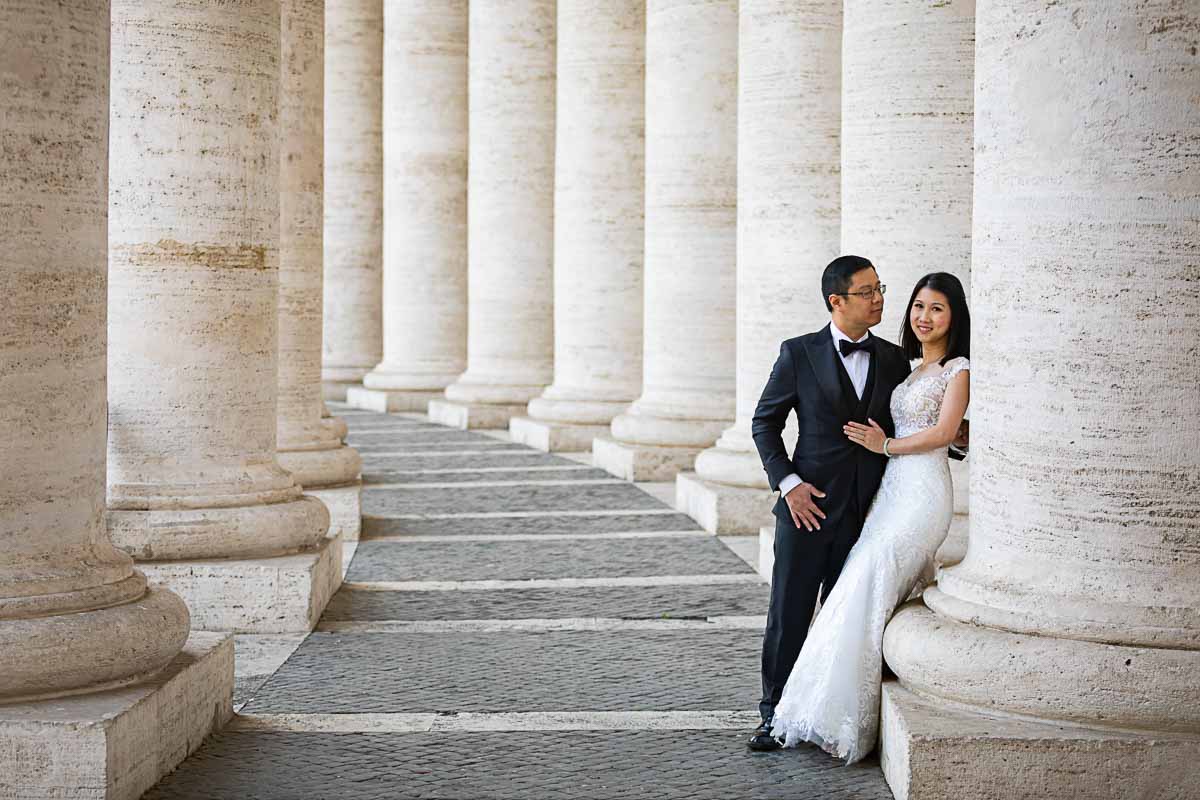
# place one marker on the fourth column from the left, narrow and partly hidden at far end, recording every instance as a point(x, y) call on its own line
point(353, 328)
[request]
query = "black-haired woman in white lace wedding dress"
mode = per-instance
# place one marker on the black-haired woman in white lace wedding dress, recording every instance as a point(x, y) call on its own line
point(832, 696)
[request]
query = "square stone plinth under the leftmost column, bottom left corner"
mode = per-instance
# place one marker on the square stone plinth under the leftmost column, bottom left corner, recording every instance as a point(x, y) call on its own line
point(116, 745)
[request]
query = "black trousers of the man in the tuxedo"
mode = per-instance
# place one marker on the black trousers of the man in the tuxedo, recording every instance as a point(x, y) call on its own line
point(806, 564)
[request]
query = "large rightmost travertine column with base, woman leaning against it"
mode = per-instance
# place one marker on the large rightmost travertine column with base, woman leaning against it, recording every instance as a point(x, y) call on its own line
point(1076, 606)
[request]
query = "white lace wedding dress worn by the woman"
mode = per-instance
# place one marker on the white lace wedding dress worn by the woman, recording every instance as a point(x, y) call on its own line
point(832, 696)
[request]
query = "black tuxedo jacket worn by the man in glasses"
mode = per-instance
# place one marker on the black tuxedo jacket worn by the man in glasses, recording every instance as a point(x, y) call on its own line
point(811, 378)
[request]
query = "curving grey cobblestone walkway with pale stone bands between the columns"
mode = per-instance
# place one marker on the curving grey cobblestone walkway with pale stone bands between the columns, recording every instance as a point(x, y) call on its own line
point(515, 625)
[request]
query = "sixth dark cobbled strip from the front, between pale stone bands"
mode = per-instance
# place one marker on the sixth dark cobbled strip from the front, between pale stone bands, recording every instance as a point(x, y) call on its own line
point(484, 500)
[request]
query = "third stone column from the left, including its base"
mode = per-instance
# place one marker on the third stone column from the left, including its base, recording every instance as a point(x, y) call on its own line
point(309, 448)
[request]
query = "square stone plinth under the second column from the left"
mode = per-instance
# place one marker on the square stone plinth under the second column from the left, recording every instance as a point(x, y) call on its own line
point(285, 594)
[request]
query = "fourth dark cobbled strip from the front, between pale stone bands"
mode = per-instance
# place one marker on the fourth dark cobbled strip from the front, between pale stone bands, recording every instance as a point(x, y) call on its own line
point(521, 561)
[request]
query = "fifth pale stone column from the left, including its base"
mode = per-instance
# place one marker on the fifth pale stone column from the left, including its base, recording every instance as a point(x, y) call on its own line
point(425, 207)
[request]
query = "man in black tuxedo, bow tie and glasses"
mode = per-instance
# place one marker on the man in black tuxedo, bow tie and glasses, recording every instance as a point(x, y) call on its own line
point(838, 375)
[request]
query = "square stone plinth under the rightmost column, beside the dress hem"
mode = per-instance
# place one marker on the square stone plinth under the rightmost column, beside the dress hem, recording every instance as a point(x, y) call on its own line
point(931, 751)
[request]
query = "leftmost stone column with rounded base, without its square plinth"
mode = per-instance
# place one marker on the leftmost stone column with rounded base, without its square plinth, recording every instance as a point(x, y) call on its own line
point(75, 615)
